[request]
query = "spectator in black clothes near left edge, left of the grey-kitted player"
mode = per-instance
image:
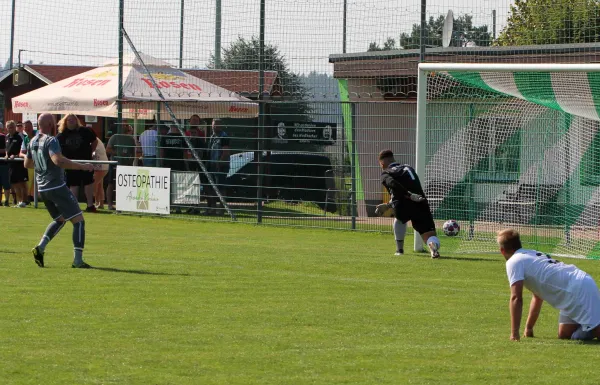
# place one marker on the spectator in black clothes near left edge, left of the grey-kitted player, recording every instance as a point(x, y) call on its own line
point(18, 173)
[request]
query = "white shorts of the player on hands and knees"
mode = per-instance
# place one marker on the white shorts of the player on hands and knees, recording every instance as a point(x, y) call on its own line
point(587, 312)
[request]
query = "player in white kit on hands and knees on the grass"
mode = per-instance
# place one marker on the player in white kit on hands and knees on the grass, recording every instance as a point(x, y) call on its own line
point(565, 287)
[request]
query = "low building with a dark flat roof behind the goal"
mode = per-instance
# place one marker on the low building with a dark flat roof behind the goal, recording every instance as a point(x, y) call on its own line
point(382, 88)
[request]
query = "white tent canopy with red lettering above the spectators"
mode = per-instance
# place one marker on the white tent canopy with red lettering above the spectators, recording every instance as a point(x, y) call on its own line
point(95, 93)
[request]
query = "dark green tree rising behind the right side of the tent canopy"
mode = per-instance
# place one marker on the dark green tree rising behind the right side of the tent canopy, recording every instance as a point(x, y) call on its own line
point(243, 54)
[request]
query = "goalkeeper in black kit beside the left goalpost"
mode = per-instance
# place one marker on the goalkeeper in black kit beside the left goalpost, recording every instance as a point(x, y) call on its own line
point(408, 202)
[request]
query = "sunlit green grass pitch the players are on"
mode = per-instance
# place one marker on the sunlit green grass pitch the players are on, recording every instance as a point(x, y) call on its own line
point(180, 302)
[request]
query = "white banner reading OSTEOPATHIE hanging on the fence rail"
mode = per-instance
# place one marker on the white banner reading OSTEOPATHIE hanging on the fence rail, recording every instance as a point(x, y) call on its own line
point(143, 189)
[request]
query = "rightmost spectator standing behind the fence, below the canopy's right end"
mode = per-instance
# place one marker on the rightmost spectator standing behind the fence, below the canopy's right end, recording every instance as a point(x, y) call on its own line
point(218, 165)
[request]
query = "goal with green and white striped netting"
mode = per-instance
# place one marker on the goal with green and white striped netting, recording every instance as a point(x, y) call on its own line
point(514, 146)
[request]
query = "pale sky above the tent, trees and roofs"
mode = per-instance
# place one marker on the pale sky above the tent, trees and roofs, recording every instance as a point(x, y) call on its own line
point(84, 32)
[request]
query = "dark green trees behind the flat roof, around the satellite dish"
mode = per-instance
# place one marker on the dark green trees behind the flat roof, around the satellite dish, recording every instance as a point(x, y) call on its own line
point(464, 31)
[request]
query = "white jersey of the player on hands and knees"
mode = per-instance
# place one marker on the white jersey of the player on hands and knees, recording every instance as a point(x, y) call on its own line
point(557, 283)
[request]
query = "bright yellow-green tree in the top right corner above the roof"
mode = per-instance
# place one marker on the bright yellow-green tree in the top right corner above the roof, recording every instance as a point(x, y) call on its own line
point(551, 22)
